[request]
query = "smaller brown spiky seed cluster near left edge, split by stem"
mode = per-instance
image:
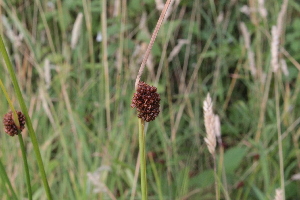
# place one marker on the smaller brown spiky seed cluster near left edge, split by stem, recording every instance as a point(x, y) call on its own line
point(9, 125)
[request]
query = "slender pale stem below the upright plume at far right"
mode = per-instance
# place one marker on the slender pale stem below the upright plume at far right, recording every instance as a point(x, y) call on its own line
point(279, 136)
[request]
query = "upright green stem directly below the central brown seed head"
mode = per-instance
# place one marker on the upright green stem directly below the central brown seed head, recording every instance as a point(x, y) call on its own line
point(142, 159)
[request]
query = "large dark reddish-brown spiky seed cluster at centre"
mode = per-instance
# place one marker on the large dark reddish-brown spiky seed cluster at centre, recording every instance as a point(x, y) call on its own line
point(146, 101)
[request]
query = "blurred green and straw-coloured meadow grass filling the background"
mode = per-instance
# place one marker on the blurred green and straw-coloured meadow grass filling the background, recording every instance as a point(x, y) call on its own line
point(78, 94)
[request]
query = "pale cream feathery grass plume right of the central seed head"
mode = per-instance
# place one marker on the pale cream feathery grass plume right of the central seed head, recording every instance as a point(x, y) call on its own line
point(209, 123)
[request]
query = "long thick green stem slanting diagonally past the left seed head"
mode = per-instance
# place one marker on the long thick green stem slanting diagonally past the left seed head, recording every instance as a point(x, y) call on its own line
point(27, 118)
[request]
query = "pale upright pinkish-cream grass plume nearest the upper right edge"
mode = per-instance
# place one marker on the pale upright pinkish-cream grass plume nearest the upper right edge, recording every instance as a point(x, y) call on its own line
point(274, 49)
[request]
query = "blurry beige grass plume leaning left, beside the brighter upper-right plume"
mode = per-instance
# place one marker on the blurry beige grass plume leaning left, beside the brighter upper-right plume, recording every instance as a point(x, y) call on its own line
point(250, 54)
